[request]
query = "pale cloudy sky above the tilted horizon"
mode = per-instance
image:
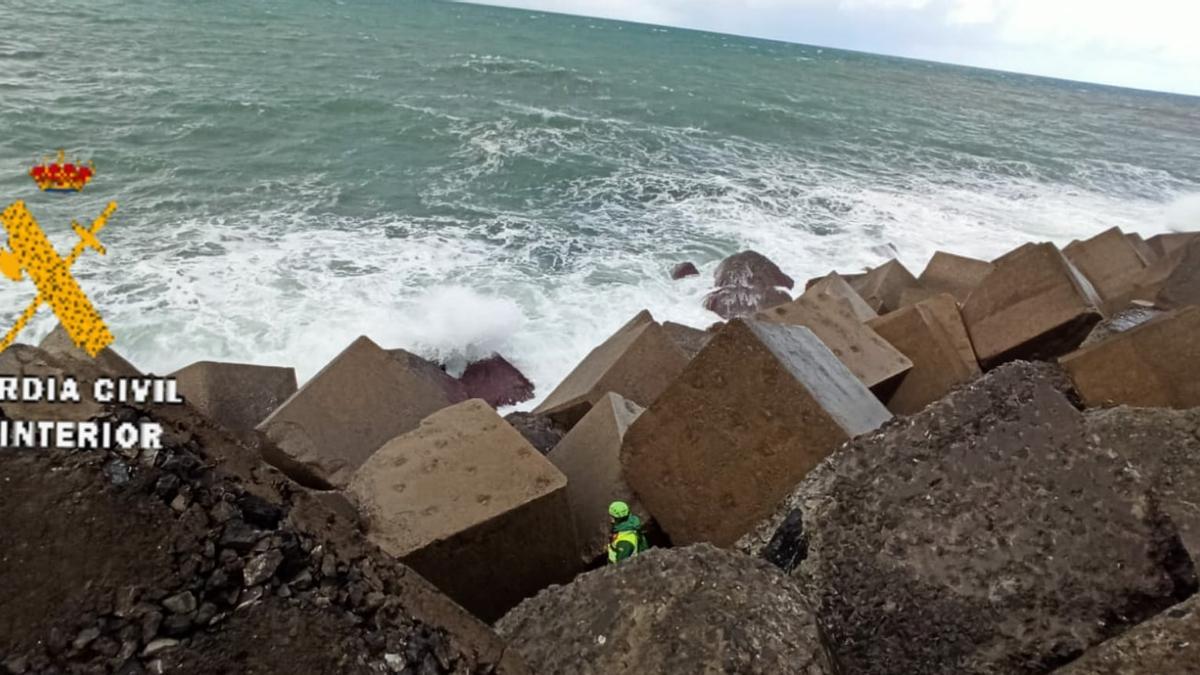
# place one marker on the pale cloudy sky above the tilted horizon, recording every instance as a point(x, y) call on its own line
point(1141, 44)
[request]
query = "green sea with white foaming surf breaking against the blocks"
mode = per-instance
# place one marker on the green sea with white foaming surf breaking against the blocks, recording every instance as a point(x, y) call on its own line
point(463, 181)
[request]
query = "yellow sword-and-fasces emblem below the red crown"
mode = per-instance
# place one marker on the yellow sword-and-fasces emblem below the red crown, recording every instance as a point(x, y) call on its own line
point(33, 253)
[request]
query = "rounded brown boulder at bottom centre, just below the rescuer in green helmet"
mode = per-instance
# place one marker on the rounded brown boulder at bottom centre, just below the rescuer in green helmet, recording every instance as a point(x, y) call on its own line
point(680, 611)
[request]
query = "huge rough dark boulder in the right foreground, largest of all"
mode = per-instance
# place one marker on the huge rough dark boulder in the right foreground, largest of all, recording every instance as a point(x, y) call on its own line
point(983, 535)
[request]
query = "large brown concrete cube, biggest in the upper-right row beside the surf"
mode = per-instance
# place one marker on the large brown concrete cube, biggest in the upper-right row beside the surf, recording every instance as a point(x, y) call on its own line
point(1034, 306)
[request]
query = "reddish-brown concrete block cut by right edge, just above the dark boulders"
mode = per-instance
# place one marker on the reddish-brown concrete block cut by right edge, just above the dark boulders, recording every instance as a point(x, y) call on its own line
point(1156, 365)
